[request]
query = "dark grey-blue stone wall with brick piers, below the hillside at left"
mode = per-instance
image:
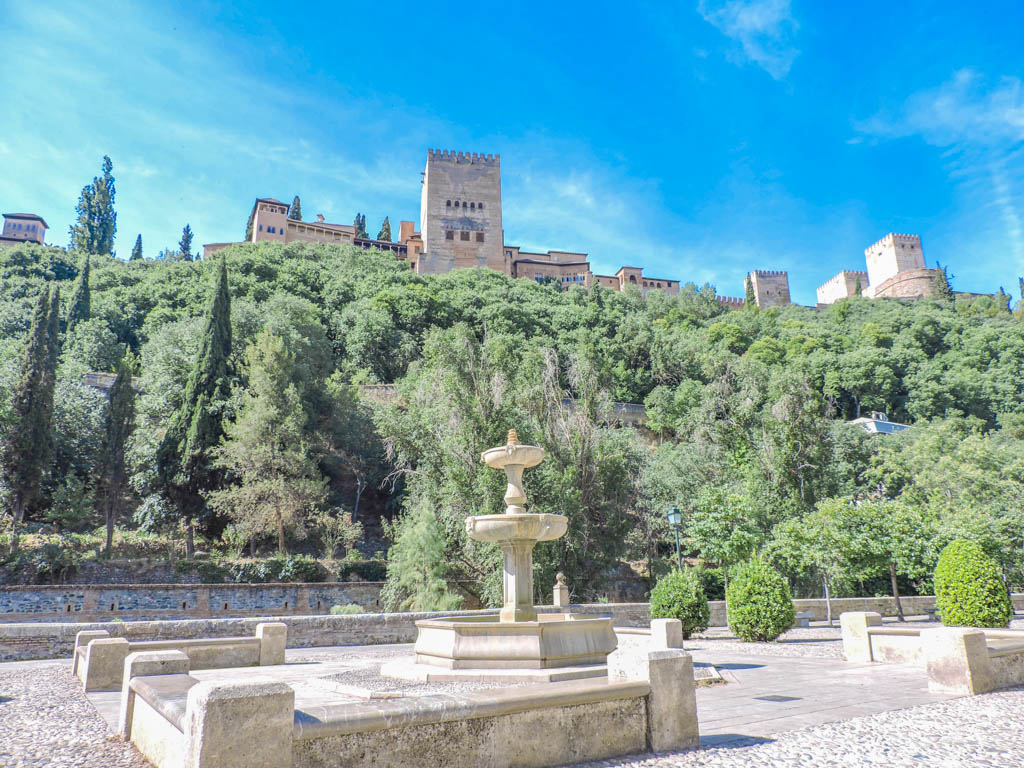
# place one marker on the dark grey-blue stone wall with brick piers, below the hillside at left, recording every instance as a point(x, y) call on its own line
point(172, 602)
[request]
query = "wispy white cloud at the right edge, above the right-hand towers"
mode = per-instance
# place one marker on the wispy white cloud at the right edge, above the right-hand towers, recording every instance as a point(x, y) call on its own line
point(979, 126)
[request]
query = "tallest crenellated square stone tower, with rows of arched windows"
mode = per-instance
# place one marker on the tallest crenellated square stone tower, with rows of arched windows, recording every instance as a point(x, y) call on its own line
point(461, 212)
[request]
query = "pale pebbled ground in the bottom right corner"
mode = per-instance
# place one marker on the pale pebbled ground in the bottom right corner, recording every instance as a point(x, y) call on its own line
point(976, 732)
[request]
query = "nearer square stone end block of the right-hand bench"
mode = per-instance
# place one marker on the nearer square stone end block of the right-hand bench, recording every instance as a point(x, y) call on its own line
point(957, 661)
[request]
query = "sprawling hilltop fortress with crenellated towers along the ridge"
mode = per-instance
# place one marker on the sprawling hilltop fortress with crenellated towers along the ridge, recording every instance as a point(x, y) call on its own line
point(461, 227)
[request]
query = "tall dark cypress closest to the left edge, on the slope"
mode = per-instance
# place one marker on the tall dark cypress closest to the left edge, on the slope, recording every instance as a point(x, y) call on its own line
point(28, 450)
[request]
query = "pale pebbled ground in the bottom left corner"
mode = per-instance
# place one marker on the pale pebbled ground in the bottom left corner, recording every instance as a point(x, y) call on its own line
point(46, 722)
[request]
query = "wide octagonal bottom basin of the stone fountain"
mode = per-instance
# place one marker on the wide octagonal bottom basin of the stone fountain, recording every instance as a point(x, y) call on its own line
point(552, 642)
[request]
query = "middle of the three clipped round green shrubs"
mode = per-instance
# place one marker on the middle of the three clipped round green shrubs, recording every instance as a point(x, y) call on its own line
point(759, 603)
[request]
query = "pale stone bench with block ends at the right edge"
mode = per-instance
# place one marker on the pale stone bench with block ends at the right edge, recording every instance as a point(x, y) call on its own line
point(958, 660)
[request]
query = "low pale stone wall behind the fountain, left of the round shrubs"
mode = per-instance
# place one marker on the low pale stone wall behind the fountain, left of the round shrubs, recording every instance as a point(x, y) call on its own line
point(55, 641)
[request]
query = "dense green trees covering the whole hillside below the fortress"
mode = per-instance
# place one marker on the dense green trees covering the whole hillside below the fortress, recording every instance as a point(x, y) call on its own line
point(745, 431)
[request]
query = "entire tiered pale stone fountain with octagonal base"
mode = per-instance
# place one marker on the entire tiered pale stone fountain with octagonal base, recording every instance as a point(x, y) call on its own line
point(521, 645)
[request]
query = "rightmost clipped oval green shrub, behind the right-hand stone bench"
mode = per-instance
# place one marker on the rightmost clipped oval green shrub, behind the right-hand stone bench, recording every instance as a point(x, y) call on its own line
point(969, 591)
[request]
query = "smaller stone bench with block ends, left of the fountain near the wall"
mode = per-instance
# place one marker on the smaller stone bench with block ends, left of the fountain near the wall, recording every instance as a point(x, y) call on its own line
point(99, 659)
